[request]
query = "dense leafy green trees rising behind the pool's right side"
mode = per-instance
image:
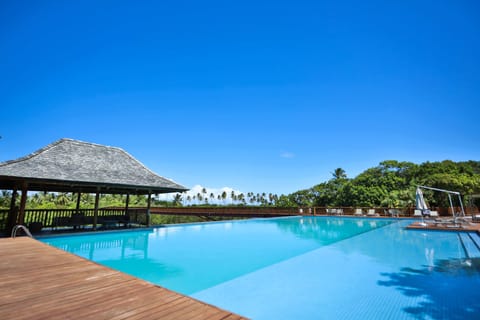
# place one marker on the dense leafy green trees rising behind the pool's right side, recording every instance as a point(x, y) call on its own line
point(390, 184)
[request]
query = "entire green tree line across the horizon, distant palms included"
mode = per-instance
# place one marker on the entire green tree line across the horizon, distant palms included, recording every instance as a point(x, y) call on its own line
point(390, 184)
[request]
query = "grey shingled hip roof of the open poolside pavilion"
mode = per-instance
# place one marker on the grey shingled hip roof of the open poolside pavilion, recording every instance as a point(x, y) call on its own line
point(72, 165)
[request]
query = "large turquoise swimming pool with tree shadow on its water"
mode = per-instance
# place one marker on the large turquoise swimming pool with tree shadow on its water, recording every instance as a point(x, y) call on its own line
point(301, 267)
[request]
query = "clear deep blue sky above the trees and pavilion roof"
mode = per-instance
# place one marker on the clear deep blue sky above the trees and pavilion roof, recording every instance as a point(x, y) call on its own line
point(261, 96)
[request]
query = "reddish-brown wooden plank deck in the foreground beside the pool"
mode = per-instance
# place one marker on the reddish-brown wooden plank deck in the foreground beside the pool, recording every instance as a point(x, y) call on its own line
point(41, 282)
